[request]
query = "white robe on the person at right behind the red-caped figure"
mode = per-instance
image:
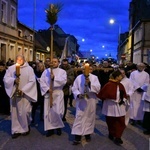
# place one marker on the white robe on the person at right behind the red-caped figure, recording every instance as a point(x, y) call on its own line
point(139, 79)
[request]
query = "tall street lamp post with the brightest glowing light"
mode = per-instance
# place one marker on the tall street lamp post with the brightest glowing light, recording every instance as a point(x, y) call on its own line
point(112, 21)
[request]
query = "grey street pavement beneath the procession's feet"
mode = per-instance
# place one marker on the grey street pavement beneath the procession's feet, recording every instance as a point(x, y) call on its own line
point(133, 136)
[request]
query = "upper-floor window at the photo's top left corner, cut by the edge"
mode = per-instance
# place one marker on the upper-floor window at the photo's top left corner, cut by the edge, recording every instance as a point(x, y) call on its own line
point(4, 12)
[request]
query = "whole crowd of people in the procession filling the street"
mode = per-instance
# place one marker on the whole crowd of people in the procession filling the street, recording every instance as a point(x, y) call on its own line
point(124, 92)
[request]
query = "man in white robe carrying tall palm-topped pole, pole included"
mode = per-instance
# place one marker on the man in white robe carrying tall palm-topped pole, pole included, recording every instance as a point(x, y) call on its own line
point(52, 81)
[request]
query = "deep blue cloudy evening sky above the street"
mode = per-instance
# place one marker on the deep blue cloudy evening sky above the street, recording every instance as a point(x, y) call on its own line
point(85, 19)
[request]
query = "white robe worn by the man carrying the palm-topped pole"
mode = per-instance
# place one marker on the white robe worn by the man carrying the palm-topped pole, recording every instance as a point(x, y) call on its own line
point(53, 116)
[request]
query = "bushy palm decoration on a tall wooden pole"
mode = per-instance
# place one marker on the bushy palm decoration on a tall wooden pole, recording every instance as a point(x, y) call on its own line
point(52, 17)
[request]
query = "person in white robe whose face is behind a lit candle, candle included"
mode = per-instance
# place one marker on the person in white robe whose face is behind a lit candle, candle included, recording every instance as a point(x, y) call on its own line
point(85, 88)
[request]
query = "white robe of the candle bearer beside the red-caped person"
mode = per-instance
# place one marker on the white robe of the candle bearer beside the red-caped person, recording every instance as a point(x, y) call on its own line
point(85, 108)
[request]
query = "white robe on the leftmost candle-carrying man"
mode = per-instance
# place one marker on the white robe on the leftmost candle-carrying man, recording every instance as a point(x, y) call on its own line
point(21, 106)
